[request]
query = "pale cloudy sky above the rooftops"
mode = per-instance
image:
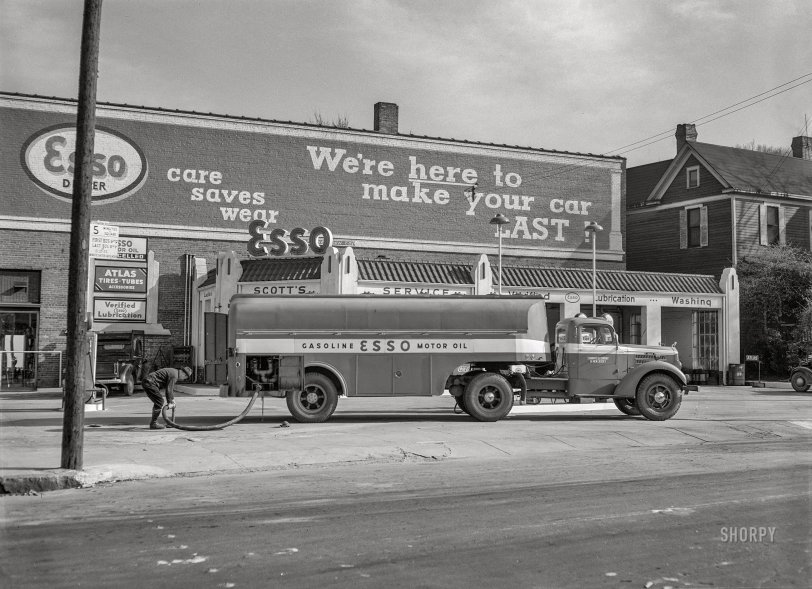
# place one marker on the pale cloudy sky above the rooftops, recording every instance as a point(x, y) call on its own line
point(610, 77)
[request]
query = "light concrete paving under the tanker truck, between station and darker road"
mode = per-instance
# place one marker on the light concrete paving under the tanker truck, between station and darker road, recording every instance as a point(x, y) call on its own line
point(118, 444)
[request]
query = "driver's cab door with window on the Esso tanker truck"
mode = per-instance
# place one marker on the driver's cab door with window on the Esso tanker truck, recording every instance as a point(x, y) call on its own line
point(596, 360)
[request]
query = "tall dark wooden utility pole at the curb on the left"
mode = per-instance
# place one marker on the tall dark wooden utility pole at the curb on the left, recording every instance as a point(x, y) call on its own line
point(78, 345)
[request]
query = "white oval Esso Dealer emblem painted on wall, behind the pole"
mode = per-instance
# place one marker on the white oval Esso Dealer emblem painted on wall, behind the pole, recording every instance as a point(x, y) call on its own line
point(119, 166)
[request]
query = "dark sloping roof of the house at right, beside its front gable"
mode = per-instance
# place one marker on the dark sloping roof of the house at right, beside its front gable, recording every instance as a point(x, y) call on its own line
point(746, 170)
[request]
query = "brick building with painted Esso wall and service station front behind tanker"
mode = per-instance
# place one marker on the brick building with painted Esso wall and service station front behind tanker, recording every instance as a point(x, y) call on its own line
point(189, 193)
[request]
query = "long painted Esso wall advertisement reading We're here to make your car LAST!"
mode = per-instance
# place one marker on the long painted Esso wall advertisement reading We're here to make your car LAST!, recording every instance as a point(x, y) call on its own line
point(224, 174)
